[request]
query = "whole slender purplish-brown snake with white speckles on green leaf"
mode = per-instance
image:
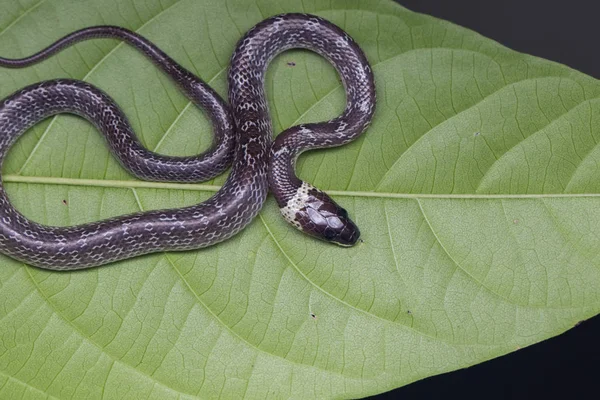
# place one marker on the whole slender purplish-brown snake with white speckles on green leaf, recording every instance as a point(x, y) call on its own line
point(242, 139)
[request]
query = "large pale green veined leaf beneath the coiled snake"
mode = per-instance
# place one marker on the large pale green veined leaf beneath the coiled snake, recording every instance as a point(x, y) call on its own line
point(476, 190)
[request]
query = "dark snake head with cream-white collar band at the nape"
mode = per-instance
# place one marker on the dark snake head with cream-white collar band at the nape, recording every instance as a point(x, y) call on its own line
point(315, 213)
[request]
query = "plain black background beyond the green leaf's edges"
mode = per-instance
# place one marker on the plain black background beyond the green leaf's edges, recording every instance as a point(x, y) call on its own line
point(566, 366)
